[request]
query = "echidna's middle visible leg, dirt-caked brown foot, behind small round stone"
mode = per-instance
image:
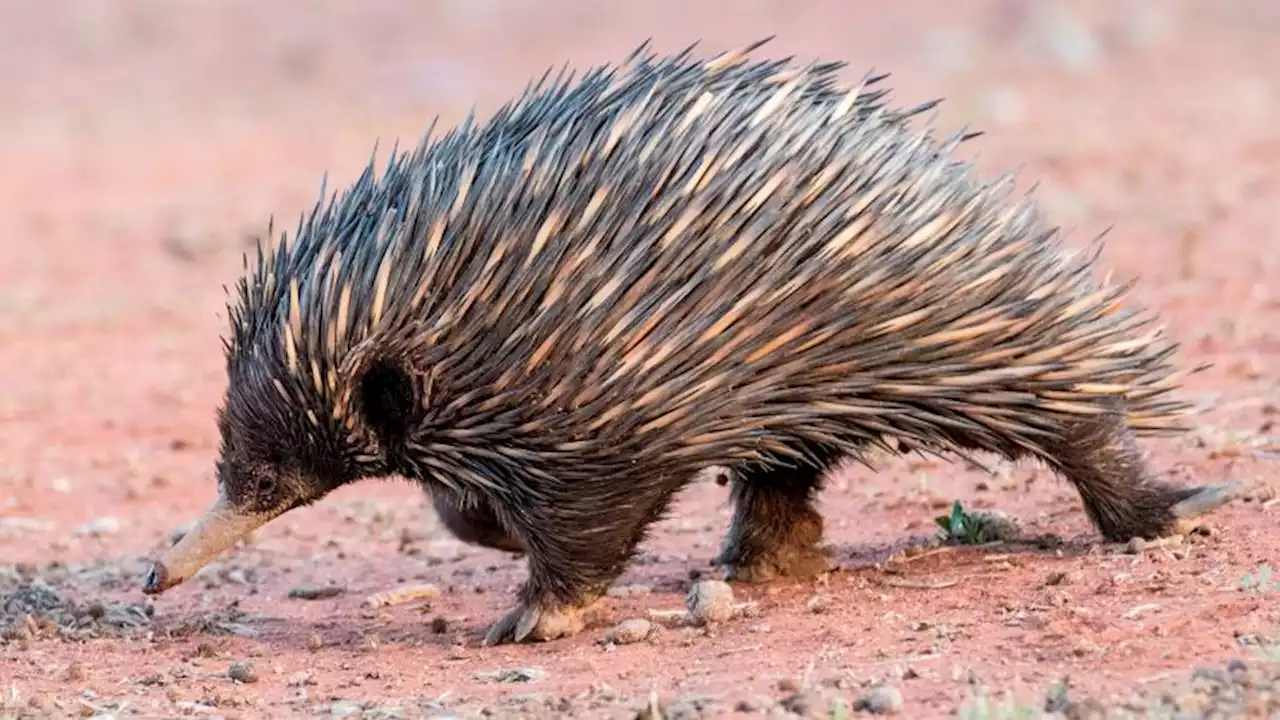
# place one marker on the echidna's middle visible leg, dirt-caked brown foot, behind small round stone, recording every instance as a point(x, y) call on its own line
point(776, 531)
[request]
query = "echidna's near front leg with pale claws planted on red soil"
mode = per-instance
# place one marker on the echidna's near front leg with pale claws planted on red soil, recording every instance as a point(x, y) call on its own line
point(575, 553)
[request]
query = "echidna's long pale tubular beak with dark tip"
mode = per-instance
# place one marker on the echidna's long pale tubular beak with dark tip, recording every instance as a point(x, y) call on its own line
point(221, 528)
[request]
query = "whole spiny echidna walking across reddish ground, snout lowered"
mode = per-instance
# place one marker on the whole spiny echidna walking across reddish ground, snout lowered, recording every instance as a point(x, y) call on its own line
point(556, 320)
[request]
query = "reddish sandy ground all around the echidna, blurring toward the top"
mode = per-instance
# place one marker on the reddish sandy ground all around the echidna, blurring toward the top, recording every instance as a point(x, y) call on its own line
point(143, 145)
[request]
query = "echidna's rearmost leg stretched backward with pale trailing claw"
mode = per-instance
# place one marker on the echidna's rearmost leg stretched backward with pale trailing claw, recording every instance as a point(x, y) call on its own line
point(1101, 458)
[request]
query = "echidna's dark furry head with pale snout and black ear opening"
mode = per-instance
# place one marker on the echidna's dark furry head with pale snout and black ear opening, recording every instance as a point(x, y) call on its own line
point(282, 448)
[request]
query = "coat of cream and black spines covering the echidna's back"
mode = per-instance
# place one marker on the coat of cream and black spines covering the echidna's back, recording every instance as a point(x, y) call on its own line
point(698, 263)
